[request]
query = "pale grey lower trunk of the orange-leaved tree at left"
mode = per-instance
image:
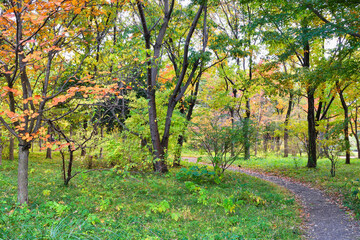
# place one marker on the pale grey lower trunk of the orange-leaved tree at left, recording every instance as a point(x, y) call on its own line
point(23, 163)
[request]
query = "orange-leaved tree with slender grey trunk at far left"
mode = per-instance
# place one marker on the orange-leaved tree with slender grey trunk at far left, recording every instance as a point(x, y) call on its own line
point(34, 37)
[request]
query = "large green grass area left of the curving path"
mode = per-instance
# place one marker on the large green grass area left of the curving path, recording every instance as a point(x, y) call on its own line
point(114, 205)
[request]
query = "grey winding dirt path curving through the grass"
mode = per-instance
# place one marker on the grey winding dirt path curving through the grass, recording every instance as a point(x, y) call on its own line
point(326, 221)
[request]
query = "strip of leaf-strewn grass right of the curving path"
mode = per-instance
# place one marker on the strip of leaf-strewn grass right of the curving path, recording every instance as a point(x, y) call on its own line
point(295, 167)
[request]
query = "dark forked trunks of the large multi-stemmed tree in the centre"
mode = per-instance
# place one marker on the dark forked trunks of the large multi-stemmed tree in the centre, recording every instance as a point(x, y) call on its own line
point(153, 60)
